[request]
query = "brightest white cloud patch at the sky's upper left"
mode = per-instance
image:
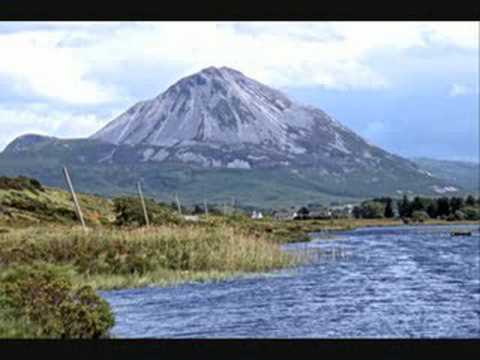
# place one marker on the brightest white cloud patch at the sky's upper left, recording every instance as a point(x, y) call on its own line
point(35, 62)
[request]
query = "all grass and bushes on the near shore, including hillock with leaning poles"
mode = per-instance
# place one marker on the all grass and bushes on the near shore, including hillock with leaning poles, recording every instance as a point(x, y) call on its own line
point(50, 267)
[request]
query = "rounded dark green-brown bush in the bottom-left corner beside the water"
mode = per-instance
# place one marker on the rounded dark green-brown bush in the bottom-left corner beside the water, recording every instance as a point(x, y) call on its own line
point(40, 301)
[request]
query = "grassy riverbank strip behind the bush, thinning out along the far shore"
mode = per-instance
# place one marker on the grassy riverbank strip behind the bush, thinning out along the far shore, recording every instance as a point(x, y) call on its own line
point(215, 248)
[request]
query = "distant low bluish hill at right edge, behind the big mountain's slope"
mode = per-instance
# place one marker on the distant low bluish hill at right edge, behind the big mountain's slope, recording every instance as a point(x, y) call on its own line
point(464, 174)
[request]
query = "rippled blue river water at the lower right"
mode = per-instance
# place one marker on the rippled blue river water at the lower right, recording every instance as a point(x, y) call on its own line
point(388, 282)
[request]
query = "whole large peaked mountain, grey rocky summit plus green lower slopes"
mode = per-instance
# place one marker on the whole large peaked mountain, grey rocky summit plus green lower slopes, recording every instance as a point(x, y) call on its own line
point(217, 134)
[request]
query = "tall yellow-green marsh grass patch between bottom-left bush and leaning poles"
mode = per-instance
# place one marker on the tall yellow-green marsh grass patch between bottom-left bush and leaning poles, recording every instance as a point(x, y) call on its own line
point(111, 258)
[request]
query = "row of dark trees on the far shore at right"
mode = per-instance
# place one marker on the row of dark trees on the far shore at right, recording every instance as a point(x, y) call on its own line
point(420, 208)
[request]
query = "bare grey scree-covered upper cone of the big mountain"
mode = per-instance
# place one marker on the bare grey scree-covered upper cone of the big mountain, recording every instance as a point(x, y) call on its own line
point(221, 118)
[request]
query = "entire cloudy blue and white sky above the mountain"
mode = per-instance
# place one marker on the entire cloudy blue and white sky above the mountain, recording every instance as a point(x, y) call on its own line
point(409, 87)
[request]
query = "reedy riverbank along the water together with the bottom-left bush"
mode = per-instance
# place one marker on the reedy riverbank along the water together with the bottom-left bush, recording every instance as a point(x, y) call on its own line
point(74, 263)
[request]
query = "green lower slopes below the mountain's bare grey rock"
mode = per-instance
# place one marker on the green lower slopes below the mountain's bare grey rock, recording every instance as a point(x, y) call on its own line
point(93, 170)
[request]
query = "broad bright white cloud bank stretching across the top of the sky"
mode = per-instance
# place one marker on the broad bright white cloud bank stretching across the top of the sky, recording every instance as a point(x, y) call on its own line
point(56, 60)
